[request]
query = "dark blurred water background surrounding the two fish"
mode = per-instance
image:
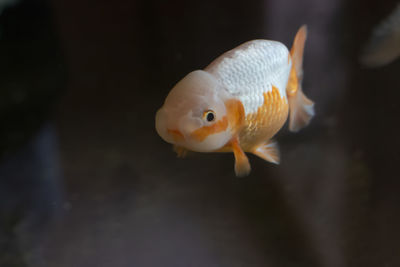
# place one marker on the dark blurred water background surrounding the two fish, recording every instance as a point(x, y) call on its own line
point(86, 181)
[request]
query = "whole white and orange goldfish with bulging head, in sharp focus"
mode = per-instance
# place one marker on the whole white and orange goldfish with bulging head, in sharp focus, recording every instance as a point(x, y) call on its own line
point(239, 102)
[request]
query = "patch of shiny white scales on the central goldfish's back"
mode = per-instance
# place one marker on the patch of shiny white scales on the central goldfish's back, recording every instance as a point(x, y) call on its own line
point(251, 69)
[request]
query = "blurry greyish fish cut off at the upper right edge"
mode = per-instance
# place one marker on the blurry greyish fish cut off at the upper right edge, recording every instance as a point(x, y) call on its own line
point(383, 46)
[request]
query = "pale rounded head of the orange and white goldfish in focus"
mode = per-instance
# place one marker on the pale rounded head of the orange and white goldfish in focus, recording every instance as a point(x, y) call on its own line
point(195, 115)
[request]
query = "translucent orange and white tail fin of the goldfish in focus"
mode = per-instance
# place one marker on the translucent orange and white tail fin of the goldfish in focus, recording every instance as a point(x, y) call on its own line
point(301, 108)
